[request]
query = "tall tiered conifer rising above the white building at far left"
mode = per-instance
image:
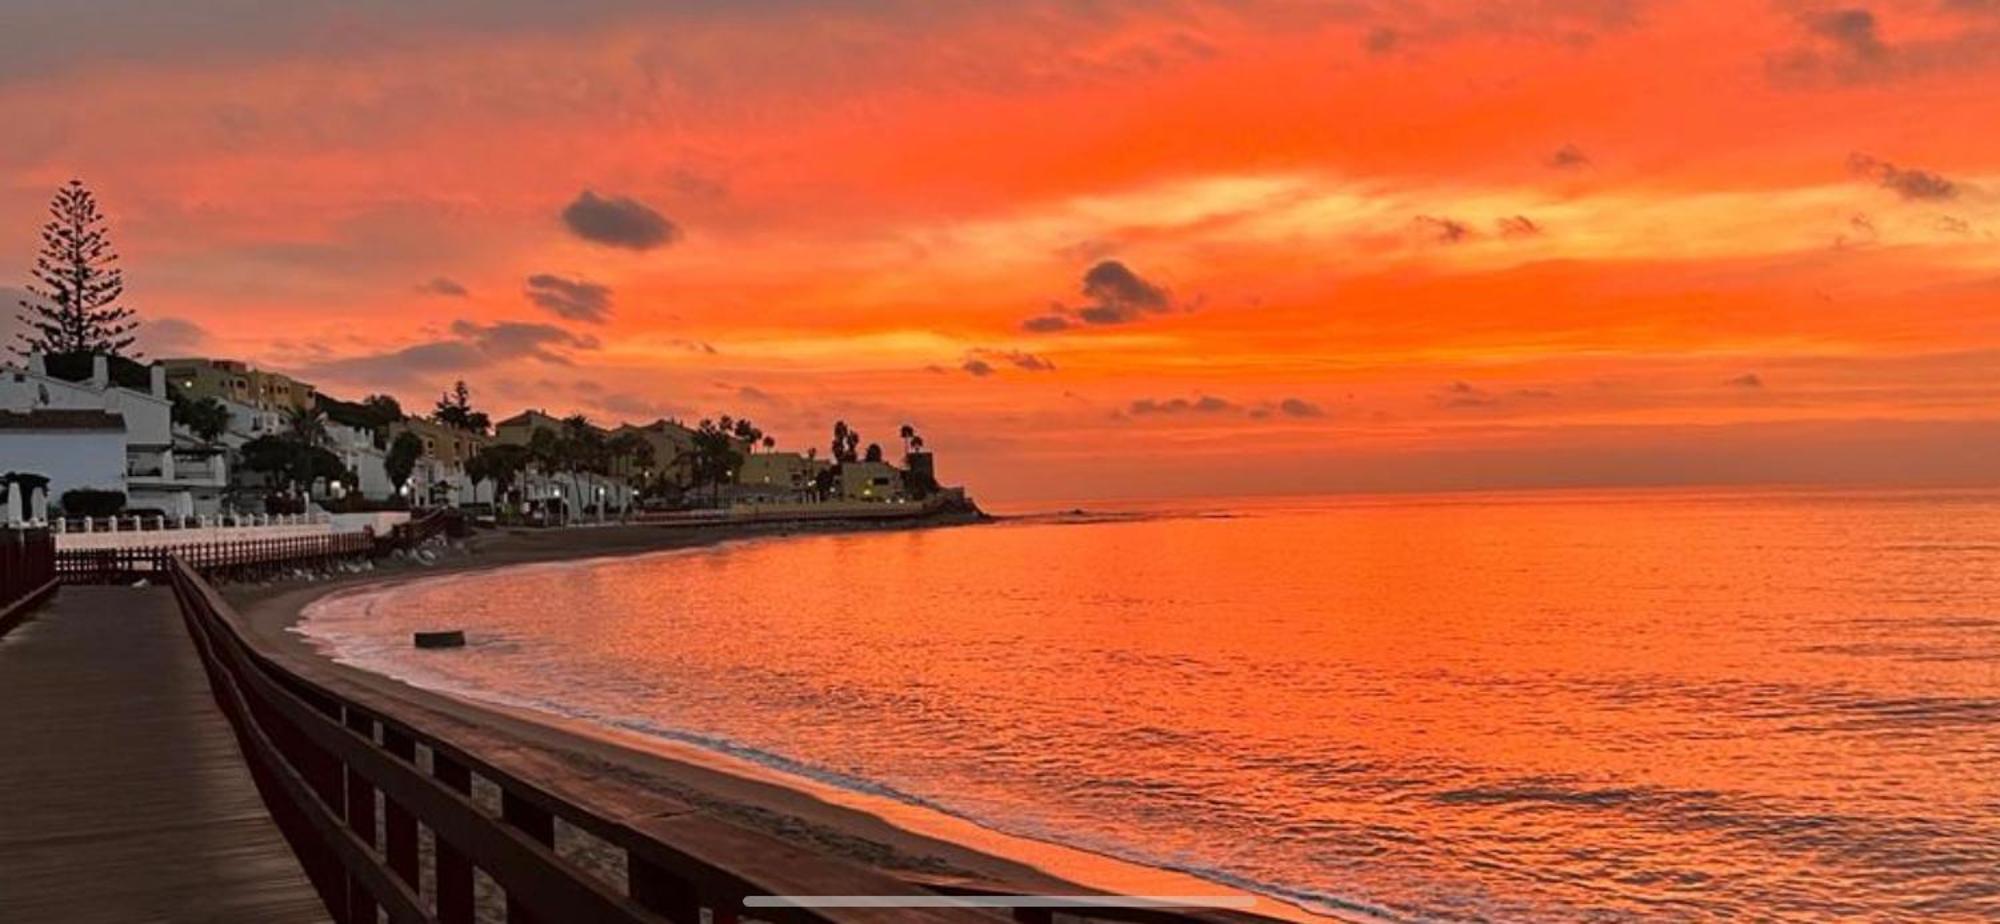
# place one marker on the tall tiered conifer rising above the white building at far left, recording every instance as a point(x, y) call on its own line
point(77, 285)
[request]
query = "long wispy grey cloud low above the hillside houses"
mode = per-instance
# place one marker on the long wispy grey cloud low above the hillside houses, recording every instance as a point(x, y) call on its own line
point(467, 347)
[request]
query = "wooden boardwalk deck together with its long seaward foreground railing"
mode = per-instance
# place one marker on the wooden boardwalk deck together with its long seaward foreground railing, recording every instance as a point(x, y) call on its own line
point(161, 769)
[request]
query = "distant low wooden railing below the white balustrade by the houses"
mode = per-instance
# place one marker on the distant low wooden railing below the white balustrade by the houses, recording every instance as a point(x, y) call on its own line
point(239, 559)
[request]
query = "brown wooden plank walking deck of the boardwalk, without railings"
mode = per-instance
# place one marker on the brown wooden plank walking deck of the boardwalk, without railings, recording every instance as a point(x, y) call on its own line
point(123, 797)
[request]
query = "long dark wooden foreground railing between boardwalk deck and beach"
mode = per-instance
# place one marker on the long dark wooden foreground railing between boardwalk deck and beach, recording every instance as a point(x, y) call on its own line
point(329, 767)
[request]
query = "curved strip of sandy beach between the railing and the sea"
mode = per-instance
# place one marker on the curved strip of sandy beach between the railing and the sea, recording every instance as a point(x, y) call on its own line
point(867, 829)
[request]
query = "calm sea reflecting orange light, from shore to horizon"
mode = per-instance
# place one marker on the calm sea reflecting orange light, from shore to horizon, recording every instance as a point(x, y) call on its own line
point(1615, 707)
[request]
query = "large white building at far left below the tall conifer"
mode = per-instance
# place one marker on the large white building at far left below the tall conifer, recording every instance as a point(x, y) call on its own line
point(107, 437)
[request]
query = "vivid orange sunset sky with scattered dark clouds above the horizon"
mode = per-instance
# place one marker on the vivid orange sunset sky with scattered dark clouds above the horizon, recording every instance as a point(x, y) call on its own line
point(1089, 249)
